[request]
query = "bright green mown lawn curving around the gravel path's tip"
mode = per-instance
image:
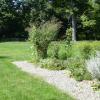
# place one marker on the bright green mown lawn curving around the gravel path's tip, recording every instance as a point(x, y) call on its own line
point(18, 85)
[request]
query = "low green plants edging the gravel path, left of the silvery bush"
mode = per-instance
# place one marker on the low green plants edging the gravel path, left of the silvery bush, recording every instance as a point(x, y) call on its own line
point(75, 66)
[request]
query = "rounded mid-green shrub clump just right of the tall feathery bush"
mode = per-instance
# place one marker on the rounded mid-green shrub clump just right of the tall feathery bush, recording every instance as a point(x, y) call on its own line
point(59, 50)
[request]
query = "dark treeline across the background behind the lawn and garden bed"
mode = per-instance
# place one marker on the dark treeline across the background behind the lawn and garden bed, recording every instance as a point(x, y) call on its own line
point(18, 15)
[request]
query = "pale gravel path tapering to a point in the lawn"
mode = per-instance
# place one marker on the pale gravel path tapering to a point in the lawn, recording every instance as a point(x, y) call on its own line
point(81, 90)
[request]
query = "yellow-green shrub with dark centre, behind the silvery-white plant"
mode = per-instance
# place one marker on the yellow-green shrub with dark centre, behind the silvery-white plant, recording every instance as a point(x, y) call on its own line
point(83, 50)
